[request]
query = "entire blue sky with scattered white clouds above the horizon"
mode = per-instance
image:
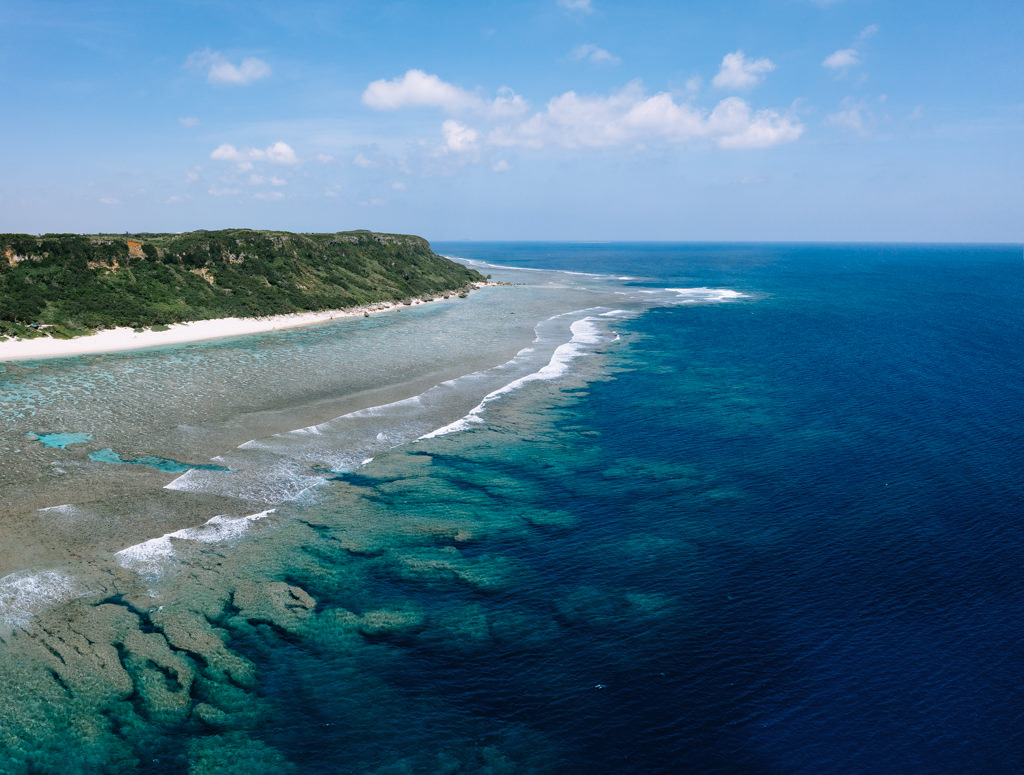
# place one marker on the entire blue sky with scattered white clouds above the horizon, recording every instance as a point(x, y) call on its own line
point(577, 120)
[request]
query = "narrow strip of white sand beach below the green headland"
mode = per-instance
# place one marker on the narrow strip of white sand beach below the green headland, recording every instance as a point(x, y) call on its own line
point(125, 339)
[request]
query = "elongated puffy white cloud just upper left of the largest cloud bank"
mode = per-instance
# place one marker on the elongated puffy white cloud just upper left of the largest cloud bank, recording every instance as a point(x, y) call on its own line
point(419, 90)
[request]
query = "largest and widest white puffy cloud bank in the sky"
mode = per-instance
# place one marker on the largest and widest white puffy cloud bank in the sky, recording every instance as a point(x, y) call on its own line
point(631, 116)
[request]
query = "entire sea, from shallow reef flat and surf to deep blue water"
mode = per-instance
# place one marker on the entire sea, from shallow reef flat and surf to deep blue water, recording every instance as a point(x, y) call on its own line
point(647, 508)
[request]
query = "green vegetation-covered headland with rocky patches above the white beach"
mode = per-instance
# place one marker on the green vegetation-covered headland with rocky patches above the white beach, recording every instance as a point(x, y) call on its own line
point(67, 285)
